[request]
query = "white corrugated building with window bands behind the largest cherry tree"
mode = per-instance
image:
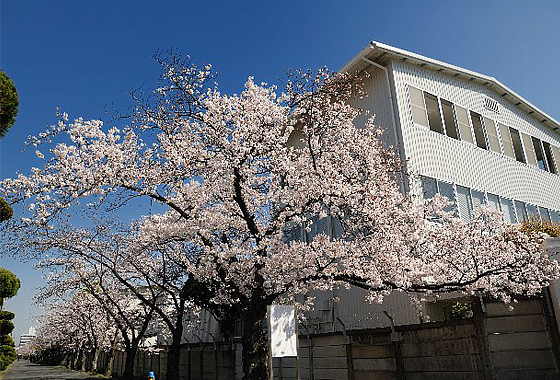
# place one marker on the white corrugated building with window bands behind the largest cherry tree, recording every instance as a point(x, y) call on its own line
point(469, 137)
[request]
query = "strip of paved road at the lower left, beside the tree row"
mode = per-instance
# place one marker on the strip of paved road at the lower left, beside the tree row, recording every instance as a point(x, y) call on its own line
point(24, 370)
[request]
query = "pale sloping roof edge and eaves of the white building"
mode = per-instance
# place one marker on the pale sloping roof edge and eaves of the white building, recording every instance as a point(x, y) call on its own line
point(380, 53)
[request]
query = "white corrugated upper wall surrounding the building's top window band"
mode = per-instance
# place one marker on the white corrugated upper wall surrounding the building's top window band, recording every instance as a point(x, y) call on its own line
point(435, 155)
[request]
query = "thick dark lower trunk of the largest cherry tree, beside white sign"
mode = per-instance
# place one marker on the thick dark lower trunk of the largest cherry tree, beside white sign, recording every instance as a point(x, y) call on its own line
point(255, 344)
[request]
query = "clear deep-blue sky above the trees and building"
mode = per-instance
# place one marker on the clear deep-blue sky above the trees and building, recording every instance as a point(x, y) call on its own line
point(83, 56)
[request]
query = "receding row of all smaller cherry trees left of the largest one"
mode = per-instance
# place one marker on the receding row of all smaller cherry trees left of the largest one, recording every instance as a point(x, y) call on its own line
point(136, 299)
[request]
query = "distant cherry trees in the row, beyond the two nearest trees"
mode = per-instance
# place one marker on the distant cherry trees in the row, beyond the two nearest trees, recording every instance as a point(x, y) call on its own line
point(88, 311)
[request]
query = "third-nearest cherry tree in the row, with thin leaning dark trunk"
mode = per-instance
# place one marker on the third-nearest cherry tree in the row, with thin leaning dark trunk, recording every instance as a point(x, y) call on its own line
point(96, 297)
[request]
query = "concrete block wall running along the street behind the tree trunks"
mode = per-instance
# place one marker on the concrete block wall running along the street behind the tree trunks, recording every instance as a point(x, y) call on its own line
point(496, 343)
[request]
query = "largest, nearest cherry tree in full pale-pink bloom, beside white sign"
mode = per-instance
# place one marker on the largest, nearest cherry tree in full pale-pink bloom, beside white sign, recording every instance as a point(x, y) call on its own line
point(235, 173)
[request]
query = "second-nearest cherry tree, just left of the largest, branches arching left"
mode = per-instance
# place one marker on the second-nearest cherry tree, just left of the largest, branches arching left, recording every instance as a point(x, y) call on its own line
point(150, 277)
